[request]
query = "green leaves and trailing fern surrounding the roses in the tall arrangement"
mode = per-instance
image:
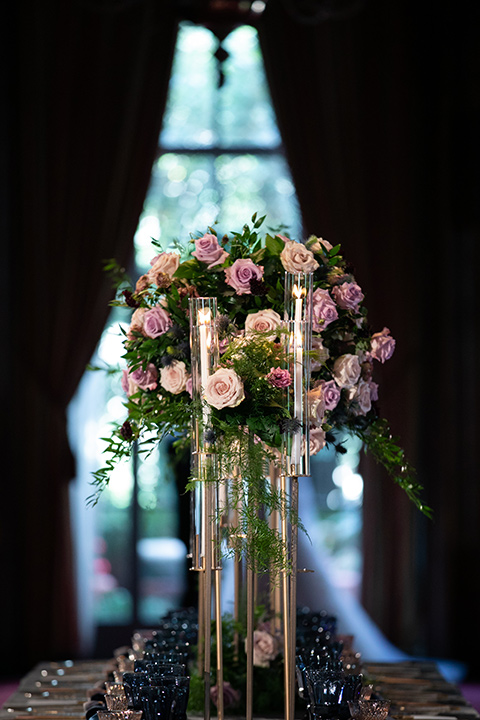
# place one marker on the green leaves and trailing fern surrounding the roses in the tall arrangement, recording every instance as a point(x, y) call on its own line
point(251, 433)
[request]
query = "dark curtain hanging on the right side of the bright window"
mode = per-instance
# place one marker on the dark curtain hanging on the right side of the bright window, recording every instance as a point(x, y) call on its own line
point(379, 111)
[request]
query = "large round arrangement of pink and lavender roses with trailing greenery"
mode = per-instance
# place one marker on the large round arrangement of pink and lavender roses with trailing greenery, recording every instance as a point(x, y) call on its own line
point(248, 415)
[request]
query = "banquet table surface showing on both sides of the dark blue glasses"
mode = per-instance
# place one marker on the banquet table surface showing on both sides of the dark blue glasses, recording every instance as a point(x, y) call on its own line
point(58, 691)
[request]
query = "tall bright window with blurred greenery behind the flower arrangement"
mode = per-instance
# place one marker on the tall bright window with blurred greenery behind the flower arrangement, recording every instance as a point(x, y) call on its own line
point(219, 159)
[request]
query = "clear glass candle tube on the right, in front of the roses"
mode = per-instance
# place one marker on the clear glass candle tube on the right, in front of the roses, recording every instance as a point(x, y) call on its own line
point(298, 323)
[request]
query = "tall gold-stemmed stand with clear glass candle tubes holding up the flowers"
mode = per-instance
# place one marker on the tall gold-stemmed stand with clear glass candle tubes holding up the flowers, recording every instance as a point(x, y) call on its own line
point(210, 496)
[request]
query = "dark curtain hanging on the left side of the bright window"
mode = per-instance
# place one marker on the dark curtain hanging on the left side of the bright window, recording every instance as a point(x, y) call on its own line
point(86, 86)
